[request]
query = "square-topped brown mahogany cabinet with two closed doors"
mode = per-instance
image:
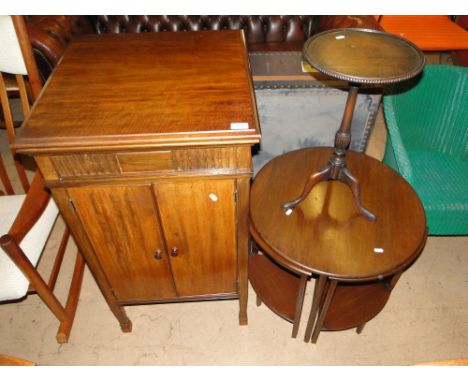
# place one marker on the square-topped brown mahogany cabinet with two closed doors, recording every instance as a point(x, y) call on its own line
point(148, 155)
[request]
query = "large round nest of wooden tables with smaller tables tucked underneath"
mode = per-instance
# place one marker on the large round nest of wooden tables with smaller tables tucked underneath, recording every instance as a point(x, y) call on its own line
point(356, 262)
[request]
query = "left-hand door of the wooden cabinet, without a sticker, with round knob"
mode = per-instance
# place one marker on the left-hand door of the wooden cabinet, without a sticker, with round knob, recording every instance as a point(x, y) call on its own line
point(122, 225)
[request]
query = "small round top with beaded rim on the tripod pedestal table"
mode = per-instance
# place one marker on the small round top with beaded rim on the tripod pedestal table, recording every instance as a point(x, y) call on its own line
point(364, 56)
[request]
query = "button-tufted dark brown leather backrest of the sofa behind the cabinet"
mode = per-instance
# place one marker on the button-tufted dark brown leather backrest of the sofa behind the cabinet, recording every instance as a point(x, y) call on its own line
point(258, 29)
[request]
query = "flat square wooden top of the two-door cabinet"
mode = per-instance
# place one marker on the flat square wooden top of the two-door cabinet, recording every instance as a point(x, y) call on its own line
point(146, 89)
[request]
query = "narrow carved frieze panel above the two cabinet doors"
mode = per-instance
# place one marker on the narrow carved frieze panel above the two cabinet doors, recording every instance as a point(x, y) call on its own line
point(111, 164)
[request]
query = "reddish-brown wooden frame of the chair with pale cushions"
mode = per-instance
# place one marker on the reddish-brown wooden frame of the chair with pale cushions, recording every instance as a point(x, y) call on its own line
point(37, 199)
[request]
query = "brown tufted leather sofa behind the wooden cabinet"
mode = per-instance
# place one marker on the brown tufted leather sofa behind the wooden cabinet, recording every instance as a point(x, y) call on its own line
point(50, 35)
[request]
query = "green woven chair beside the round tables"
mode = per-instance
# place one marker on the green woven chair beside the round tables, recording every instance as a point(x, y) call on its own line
point(428, 144)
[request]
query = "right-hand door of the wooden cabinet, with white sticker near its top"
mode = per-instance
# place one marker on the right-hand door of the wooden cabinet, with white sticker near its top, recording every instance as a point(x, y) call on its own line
point(198, 219)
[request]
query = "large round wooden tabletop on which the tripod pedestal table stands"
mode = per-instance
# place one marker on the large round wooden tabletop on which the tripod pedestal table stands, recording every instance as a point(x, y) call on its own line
point(326, 234)
